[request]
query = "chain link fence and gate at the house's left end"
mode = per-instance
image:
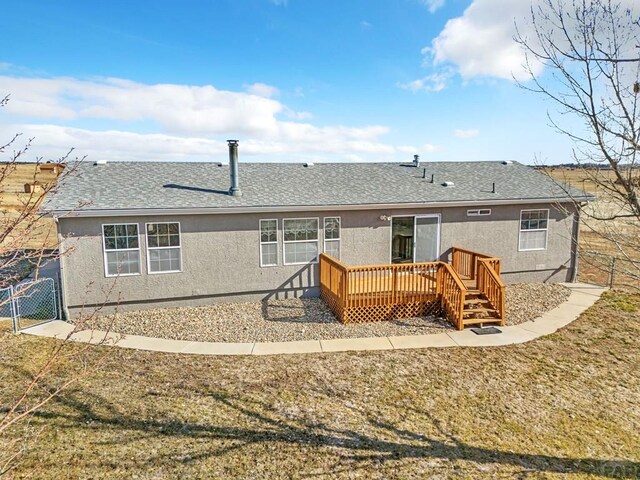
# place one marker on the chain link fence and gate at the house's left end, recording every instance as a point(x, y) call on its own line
point(29, 303)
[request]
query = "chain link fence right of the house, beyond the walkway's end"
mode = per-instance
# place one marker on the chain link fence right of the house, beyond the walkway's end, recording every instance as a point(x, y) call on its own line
point(609, 270)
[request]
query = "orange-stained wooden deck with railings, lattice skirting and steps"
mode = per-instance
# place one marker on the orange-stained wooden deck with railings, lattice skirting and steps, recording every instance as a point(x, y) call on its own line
point(370, 293)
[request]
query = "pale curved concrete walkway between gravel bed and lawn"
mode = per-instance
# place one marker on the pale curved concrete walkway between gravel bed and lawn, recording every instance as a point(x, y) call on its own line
point(582, 297)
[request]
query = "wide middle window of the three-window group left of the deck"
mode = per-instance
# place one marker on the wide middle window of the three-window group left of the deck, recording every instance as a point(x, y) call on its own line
point(300, 240)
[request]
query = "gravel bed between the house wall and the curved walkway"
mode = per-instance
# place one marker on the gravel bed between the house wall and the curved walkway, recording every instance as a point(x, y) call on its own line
point(303, 319)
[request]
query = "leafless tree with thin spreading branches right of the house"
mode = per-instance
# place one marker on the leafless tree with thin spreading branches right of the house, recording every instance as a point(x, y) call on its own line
point(584, 56)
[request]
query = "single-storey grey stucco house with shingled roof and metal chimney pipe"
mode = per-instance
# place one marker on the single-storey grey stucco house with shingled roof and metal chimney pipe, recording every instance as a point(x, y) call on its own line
point(178, 234)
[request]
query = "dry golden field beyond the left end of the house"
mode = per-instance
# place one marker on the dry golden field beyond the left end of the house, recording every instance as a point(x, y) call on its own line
point(13, 200)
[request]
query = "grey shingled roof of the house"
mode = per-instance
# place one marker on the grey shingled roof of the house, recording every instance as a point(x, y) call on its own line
point(154, 186)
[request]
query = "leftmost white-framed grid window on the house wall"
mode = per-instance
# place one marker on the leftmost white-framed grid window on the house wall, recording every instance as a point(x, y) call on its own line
point(121, 249)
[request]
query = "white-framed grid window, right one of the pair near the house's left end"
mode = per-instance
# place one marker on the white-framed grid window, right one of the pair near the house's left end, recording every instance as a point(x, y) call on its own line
point(163, 247)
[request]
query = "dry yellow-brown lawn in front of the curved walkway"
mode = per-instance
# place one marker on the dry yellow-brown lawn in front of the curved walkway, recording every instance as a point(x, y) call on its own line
point(563, 406)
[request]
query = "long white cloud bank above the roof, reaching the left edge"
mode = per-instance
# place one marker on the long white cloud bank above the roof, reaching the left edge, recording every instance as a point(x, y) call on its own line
point(186, 122)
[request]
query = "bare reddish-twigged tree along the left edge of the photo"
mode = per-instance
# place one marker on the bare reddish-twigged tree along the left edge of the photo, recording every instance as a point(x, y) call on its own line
point(28, 240)
